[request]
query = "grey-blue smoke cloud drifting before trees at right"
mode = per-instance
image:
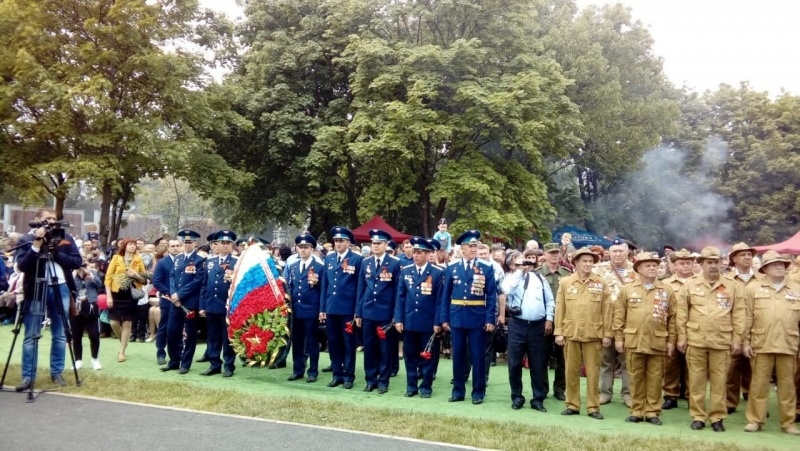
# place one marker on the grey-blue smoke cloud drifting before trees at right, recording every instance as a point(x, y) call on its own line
point(670, 200)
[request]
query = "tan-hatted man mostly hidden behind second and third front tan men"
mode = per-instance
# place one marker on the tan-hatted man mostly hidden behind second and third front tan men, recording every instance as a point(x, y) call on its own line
point(675, 365)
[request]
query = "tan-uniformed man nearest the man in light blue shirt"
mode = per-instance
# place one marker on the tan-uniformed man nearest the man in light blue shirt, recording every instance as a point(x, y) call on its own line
point(583, 325)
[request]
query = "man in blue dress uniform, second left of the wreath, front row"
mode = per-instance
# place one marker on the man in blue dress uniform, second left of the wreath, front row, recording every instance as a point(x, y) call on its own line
point(186, 282)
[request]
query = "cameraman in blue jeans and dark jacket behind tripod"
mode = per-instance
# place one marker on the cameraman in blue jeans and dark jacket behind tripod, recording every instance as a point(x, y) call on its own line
point(65, 259)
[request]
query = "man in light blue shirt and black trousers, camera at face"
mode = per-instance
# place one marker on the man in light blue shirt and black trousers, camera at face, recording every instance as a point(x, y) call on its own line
point(531, 308)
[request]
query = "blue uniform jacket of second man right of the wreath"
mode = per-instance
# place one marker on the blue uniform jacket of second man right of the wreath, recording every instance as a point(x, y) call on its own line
point(340, 283)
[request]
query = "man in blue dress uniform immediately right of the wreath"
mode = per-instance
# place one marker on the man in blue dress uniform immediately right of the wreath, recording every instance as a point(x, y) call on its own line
point(303, 284)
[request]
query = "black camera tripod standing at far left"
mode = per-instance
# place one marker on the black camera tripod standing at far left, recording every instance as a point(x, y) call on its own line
point(35, 310)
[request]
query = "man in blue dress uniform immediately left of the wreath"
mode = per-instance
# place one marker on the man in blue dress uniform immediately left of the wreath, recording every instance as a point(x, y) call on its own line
point(214, 303)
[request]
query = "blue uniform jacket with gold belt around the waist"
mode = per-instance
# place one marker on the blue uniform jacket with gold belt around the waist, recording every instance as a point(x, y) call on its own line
point(464, 285)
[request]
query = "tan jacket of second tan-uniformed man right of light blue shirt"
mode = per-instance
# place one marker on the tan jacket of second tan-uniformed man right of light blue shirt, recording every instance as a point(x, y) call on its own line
point(645, 319)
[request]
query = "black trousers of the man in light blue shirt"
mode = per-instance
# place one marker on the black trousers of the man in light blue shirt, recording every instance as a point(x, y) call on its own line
point(527, 337)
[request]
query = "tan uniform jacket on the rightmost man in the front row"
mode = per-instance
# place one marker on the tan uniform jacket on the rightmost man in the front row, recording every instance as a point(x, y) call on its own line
point(773, 318)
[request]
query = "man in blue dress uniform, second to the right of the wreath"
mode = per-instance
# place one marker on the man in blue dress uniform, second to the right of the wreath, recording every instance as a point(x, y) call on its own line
point(339, 294)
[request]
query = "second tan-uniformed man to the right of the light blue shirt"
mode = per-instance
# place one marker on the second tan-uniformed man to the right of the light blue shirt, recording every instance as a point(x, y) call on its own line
point(644, 320)
